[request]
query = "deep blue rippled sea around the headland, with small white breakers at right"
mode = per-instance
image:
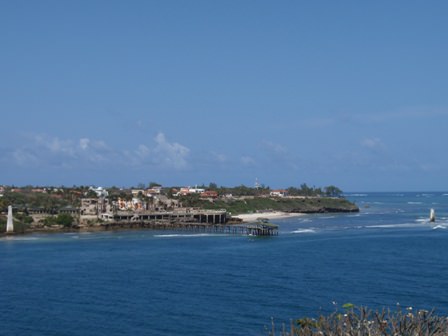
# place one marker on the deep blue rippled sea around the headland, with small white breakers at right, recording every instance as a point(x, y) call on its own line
point(164, 283)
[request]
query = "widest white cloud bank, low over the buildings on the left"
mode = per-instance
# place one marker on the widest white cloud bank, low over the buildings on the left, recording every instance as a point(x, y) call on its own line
point(43, 150)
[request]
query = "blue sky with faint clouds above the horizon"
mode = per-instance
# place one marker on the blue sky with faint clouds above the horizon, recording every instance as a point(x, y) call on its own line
point(349, 93)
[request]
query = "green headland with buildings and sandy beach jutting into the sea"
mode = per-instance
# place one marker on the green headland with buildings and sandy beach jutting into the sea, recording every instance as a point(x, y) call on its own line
point(62, 209)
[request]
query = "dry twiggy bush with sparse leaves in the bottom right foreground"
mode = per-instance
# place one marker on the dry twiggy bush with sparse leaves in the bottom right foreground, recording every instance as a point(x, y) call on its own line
point(364, 322)
